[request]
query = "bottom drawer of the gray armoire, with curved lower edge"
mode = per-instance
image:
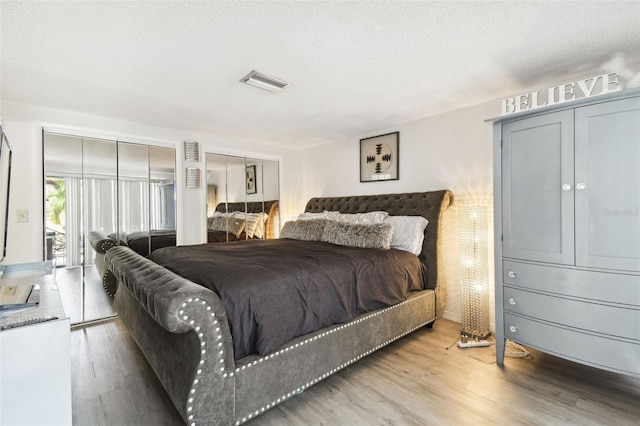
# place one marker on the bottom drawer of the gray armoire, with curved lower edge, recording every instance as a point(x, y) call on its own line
point(610, 354)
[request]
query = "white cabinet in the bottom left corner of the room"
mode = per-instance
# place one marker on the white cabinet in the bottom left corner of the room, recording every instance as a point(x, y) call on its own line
point(35, 366)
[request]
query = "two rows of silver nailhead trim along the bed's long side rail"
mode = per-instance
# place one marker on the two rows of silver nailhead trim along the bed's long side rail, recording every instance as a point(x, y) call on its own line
point(324, 376)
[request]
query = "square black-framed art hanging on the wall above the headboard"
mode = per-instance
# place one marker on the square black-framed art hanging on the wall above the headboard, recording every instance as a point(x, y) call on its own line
point(379, 157)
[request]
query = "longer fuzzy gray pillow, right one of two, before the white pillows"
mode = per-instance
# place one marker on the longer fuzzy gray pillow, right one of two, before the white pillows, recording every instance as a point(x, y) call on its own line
point(365, 236)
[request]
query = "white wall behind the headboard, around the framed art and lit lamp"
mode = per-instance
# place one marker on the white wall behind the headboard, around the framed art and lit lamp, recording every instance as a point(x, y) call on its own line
point(452, 150)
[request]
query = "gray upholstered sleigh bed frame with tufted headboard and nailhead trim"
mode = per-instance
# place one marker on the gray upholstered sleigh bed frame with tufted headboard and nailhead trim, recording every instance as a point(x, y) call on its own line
point(184, 331)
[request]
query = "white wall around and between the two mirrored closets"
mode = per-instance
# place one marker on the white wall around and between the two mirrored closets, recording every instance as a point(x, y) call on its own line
point(23, 125)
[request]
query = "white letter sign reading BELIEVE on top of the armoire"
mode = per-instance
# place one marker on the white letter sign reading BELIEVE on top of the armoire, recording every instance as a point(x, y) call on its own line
point(600, 85)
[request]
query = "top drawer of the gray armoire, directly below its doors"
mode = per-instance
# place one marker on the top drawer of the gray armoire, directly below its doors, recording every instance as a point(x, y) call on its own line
point(608, 287)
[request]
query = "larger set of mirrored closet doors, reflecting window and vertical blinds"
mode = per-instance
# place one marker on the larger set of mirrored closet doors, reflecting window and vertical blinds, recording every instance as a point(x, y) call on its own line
point(107, 188)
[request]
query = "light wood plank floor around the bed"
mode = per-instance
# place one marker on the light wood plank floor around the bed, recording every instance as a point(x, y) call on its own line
point(414, 381)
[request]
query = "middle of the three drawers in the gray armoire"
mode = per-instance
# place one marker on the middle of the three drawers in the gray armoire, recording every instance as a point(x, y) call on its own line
point(621, 322)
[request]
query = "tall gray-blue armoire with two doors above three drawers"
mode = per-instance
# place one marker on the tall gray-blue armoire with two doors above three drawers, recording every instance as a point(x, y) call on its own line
point(567, 223)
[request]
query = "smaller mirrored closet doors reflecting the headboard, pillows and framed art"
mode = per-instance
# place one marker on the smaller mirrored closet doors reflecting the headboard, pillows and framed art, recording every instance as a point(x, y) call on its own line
point(242, 198)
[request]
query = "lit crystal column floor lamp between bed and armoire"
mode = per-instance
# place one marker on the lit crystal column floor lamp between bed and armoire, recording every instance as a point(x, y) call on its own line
point(474, 271)
